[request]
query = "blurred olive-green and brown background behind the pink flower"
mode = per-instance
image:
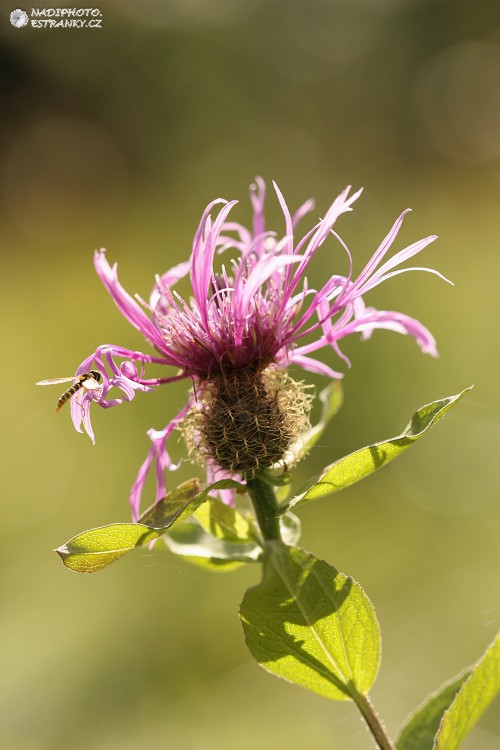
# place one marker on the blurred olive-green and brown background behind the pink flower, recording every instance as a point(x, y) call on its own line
point(119, 137)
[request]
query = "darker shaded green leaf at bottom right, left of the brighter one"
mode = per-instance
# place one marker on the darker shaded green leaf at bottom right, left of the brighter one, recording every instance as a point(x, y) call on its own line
point(419, 731)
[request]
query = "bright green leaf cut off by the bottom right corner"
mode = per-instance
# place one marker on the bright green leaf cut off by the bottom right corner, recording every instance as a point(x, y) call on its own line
point(473, 698)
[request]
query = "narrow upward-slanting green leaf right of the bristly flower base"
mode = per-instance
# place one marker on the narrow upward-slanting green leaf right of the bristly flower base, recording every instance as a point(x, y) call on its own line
point(361, 463)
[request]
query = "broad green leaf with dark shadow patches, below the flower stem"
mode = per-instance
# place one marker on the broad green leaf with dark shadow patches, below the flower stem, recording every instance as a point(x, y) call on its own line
point(312, 625)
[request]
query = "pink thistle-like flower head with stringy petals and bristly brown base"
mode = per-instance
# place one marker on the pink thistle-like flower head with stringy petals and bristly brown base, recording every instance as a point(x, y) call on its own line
point(238, 332)
